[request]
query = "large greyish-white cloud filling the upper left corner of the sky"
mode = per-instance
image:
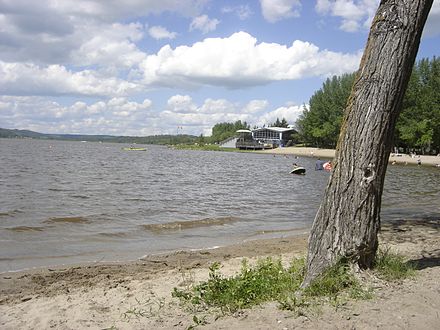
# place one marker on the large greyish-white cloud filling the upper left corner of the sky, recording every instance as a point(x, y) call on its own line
point(50, 31)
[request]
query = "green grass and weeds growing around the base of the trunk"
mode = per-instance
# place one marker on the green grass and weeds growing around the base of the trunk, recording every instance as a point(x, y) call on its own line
point(269, 280)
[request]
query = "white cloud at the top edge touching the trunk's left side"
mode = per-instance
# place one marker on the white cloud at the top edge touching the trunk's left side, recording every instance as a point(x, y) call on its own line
point(355, 14)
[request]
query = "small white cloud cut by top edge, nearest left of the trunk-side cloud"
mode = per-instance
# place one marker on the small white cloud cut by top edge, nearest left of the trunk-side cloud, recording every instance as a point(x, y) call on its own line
point(276, 10)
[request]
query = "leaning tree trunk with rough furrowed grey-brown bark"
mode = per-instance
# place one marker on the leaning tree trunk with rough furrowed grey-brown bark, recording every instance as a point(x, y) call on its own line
point(348, 220)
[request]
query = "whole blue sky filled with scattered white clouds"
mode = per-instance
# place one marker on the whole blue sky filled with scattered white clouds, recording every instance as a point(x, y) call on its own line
point(150, 67)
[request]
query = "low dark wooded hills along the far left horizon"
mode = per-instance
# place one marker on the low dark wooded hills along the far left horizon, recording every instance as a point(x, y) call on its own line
point(155, 139)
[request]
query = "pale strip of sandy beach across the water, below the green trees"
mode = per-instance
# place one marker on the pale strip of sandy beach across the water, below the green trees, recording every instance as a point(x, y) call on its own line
point(401, 159)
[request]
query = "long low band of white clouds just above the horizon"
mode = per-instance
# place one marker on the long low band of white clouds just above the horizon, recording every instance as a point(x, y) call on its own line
point(121, 116)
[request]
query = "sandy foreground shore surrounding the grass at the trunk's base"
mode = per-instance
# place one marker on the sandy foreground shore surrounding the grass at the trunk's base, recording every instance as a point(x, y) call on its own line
point(137, 295)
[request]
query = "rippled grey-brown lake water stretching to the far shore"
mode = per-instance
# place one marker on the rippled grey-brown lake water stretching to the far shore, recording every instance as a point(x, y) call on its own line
point(69, 202)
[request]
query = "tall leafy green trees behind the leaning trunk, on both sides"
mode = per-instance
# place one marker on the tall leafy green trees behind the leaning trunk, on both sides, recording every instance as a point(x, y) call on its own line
point(417, 129)
